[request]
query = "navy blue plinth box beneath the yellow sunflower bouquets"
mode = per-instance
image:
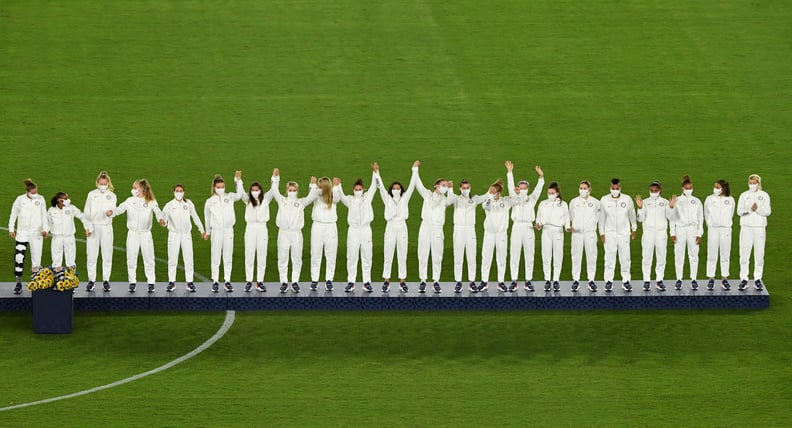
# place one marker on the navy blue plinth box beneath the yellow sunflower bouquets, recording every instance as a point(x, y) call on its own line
point(52, 311)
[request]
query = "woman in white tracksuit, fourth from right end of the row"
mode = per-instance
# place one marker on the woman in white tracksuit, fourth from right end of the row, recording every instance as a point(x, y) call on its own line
point(654, 213)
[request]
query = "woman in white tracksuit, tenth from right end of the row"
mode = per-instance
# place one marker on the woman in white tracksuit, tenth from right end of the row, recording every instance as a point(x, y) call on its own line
point(465, 233)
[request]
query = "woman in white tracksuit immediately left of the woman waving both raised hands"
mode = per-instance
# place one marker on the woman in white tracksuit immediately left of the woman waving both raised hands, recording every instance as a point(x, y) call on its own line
point(496, 225)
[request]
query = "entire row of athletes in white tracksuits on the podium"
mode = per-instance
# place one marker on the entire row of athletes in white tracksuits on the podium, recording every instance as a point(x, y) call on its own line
point(611, 219)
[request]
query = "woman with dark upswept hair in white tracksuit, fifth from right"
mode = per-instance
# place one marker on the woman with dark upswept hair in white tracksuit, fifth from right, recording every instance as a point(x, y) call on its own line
point(617, 226)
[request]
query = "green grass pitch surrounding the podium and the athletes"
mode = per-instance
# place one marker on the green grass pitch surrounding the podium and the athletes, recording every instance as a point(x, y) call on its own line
point(175, 92)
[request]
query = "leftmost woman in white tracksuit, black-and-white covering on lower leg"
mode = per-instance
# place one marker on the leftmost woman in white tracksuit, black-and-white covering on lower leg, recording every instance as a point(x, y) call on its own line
point(29, 215)
